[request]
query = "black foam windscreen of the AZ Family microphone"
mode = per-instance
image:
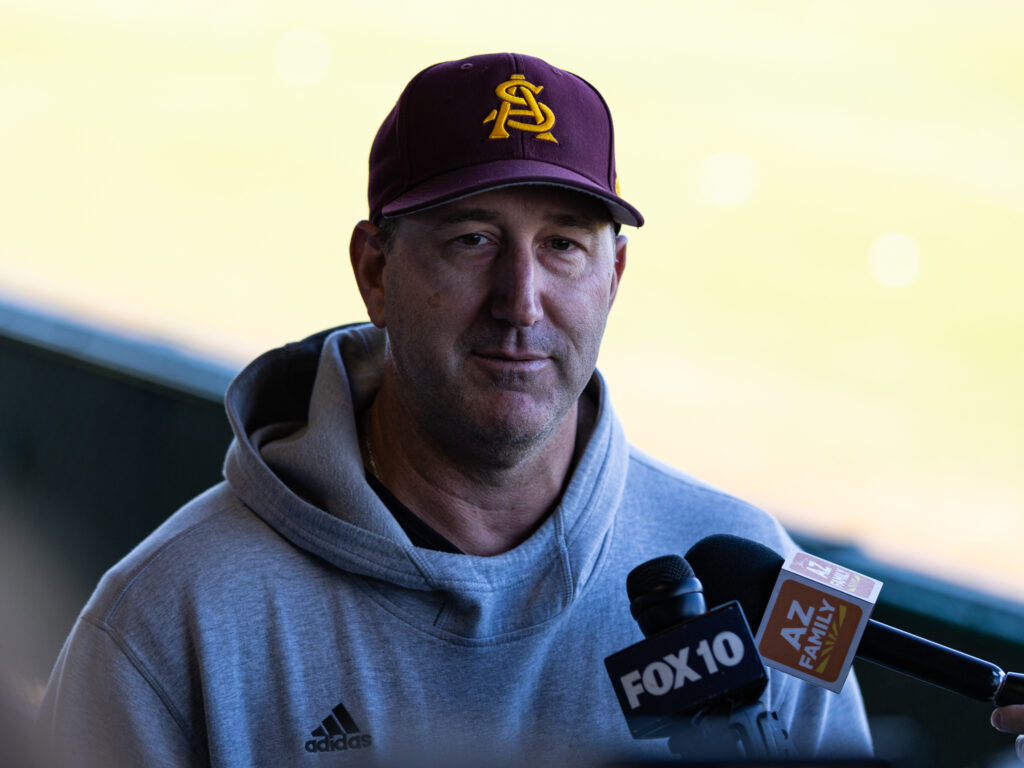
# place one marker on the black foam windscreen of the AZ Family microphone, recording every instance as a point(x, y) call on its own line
point(732, 568)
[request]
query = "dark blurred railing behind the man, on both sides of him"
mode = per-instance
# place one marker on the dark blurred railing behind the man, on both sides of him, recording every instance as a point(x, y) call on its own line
point(102, 437)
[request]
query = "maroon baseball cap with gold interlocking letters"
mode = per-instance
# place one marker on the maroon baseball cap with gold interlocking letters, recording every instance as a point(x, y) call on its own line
point(493, 121)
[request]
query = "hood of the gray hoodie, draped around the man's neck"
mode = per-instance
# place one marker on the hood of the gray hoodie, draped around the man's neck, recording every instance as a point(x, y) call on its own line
point(295, 462)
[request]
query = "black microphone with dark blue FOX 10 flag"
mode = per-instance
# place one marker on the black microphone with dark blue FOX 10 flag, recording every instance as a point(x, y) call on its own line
point(697, 677)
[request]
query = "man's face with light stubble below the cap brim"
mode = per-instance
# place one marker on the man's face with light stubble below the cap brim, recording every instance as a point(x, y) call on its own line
point(495, 308)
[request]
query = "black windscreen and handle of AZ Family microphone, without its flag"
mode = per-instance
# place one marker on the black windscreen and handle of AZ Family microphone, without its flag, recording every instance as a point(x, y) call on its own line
point(737, 569)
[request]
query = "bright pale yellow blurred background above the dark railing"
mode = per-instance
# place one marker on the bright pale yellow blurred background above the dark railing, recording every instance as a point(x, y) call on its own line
point(822, 316)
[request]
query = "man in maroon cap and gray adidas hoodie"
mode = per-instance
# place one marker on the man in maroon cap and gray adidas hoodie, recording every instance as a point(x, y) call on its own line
point(420, 551)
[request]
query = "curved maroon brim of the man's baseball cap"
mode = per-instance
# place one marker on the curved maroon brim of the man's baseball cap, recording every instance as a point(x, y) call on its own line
point(495, 176)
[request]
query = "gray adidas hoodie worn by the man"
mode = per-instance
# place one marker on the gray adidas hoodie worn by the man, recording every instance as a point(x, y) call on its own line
point(284, 618)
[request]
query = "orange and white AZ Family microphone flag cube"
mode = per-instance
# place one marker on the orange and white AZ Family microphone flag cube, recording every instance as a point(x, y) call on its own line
point(815, 620)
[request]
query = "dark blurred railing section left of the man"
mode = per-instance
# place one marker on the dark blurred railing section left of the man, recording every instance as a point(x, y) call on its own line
point(102, 437)
